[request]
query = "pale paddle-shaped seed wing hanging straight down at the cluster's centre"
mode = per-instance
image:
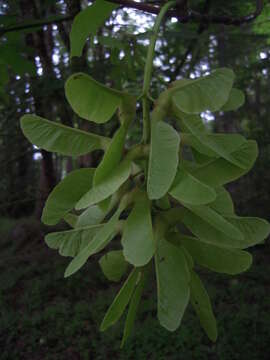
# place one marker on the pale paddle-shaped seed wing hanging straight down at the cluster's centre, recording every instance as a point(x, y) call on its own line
point(137, 240)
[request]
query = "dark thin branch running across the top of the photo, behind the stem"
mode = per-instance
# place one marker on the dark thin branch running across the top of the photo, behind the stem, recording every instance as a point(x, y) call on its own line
point(182, 14)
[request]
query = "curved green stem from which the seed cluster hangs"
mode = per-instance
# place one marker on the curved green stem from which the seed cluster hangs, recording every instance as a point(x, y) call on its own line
point(148, 70)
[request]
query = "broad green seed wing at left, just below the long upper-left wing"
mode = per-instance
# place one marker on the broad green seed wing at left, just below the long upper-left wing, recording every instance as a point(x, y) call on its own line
point(66, 194)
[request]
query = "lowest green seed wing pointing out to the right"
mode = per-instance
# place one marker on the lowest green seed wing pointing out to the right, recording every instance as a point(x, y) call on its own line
point(216, 258)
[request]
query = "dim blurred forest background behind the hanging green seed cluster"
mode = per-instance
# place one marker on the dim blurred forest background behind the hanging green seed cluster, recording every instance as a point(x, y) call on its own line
point(43, 316)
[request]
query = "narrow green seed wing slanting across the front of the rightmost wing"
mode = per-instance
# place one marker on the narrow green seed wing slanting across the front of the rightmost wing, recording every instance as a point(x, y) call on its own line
point(216, 220)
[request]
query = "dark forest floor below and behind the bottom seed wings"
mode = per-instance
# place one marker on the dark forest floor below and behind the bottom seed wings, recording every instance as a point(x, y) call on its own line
point(44, 316)
